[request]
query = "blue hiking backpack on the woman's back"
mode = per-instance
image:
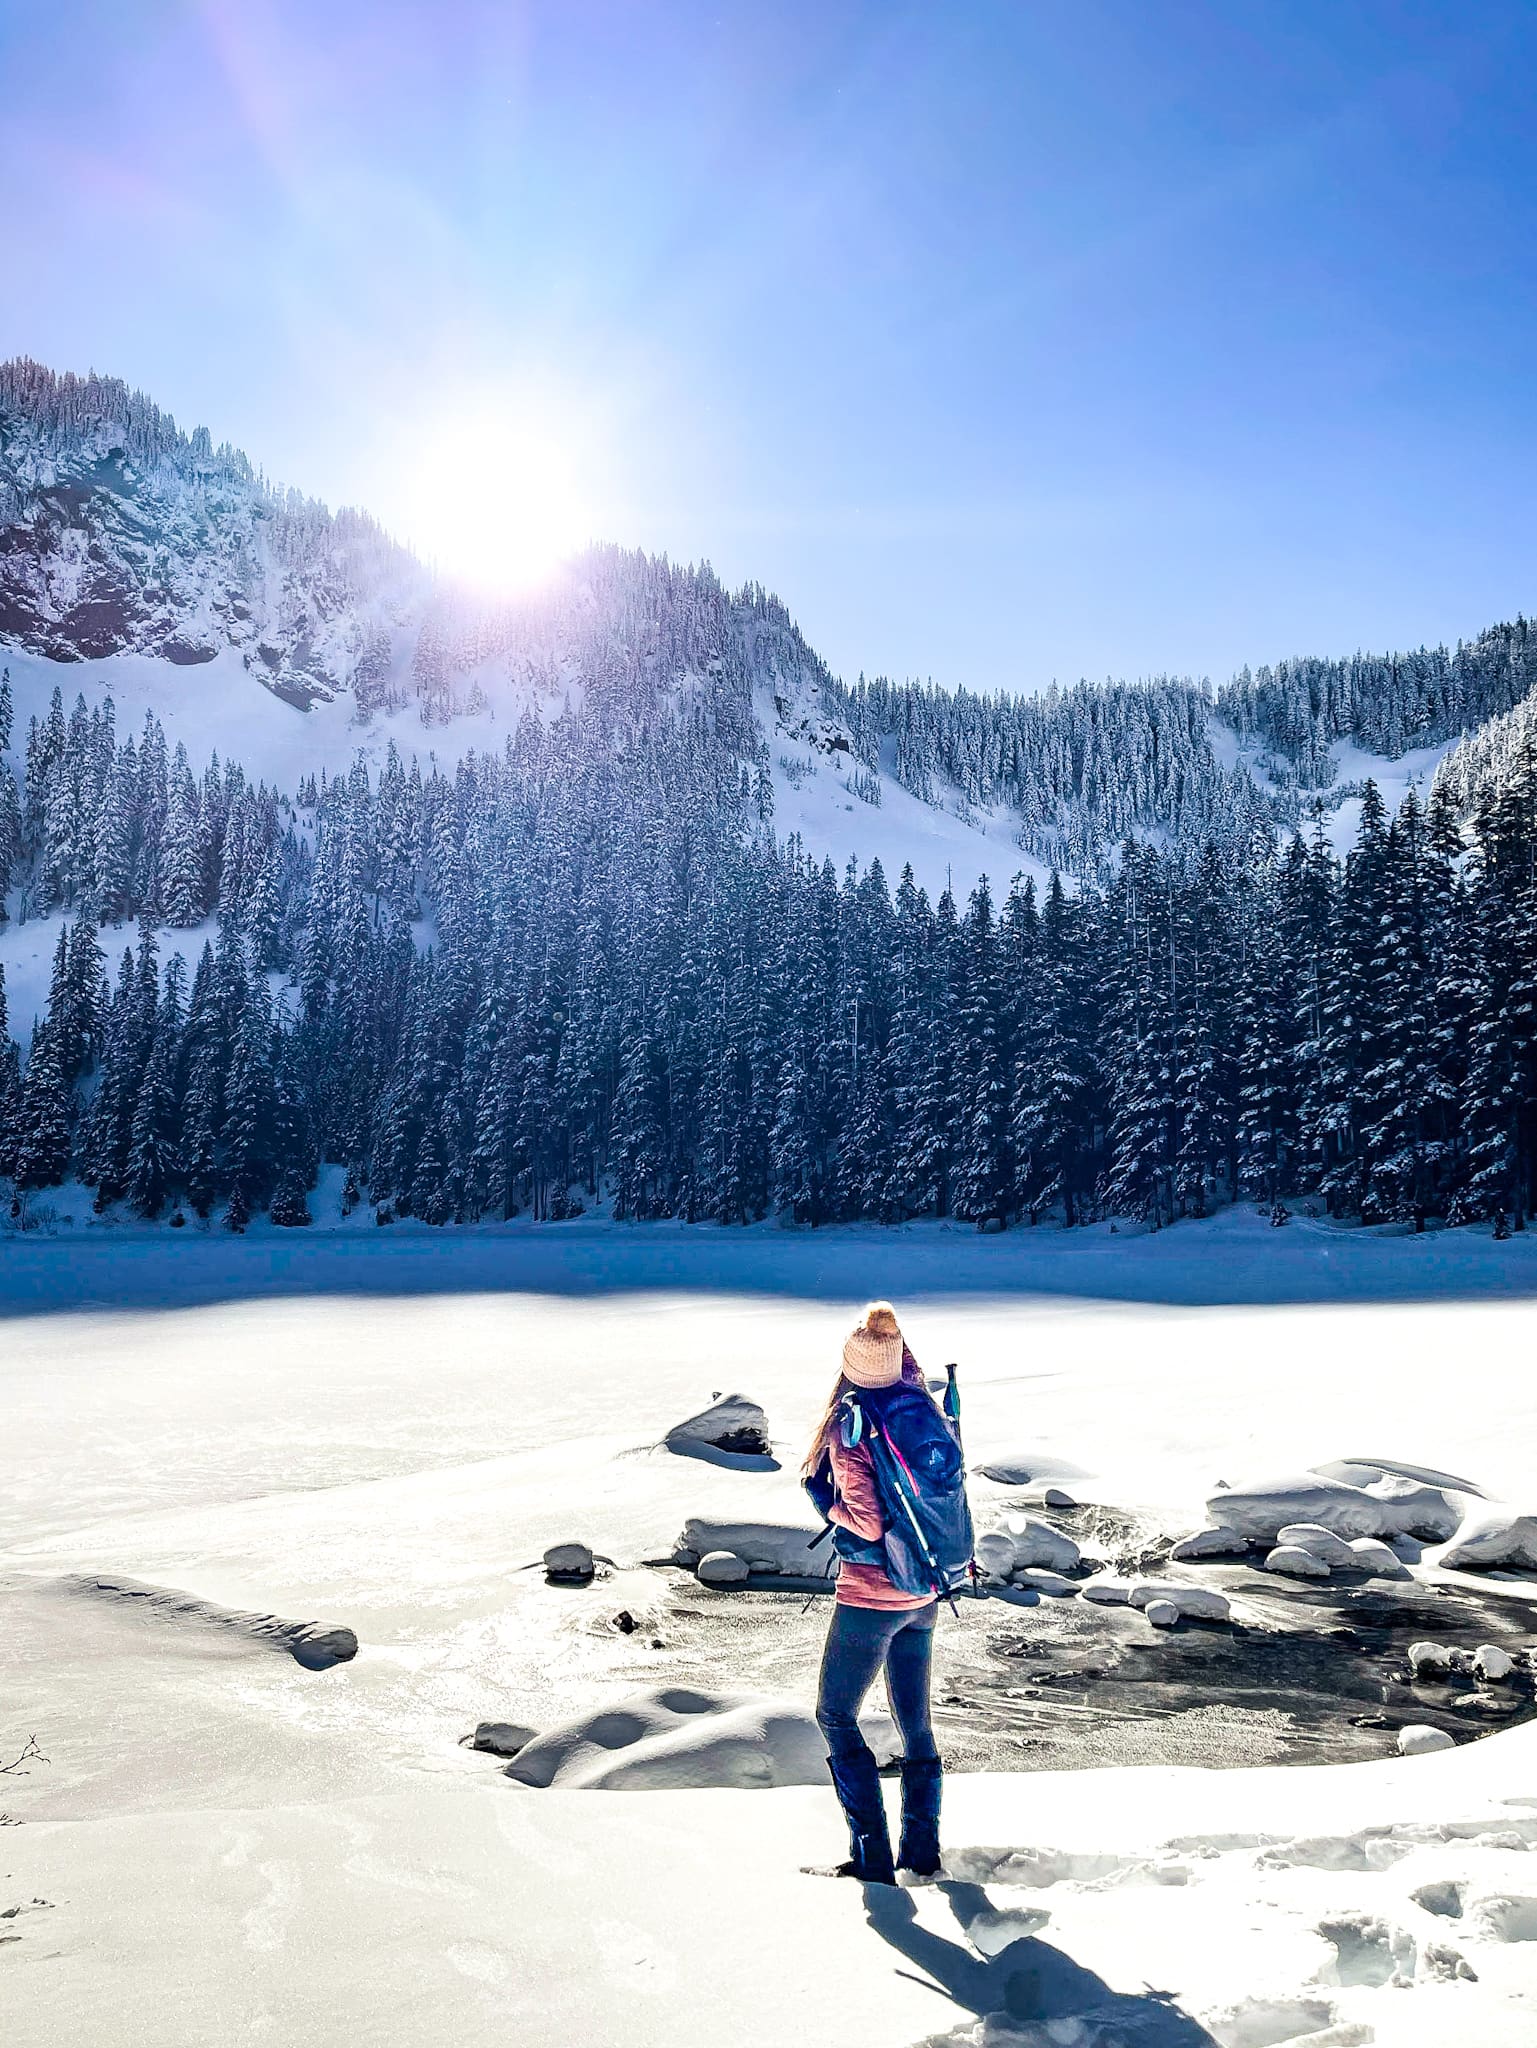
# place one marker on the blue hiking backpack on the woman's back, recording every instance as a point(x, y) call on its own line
point(921, 1484)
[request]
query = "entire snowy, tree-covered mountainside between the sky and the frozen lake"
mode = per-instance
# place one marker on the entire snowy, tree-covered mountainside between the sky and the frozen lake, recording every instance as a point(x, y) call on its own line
point(620, 898)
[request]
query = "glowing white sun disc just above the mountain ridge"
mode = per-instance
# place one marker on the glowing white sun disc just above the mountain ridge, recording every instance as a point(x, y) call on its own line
point(495, 499)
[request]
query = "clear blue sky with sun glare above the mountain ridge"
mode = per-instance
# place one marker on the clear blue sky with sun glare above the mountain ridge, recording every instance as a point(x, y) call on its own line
point(1005, 341)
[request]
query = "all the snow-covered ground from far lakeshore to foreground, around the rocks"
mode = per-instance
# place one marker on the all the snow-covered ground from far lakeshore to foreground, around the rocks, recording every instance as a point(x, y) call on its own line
point(382, 1431)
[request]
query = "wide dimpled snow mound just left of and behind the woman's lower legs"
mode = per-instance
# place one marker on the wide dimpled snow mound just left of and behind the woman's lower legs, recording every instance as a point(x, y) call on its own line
point(679, 1740)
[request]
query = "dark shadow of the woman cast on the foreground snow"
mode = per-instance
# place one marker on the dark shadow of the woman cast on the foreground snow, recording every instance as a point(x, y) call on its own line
point(1028, 1983)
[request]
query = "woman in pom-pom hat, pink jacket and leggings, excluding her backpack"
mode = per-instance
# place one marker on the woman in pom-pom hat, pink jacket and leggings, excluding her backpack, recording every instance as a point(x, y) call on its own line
point(874, 1625)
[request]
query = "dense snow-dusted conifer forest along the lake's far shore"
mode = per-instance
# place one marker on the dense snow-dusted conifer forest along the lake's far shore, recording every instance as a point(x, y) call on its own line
point(587, 970)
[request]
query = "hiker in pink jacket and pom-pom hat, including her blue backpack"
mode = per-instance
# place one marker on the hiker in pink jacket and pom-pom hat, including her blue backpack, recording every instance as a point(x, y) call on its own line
point(886, 1471)
